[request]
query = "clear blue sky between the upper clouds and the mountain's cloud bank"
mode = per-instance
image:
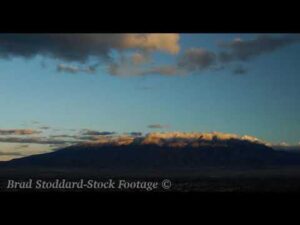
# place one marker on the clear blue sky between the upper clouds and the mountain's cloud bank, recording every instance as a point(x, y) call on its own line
point(263, 102)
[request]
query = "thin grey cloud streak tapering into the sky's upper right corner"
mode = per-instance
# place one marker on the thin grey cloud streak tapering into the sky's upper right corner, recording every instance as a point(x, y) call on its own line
point(244, 50)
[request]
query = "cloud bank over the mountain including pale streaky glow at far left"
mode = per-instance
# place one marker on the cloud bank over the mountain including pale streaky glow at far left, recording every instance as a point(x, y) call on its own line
point(24, 138)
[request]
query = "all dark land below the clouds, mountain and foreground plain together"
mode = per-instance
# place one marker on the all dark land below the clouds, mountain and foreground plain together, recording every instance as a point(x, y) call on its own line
point(231, 166)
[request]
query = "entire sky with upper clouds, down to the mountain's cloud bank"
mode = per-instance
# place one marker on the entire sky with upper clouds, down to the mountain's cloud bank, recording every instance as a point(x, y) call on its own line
point(247, 84)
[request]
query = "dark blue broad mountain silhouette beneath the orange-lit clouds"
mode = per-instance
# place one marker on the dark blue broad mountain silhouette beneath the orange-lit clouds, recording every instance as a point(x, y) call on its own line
point(230, 153)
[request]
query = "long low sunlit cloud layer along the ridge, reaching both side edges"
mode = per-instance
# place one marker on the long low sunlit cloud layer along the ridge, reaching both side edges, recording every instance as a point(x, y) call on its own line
point(168, 139)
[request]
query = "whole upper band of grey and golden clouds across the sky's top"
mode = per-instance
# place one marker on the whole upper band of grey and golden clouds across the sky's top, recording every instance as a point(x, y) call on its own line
point(132, 54)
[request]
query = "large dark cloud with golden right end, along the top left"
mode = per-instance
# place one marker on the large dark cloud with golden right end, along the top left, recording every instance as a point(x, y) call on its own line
point(80, 47)
